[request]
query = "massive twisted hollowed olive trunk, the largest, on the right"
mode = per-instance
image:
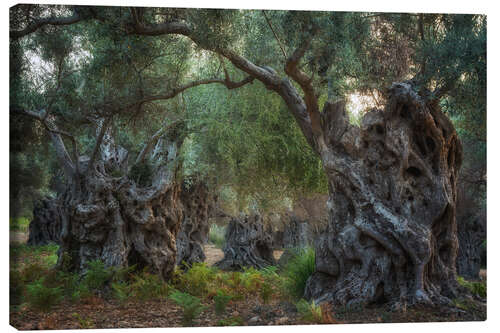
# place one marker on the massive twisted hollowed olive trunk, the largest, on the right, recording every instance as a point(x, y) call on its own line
point(392, 234)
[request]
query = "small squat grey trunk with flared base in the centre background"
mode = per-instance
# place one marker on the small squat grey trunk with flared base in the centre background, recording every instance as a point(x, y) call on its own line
point(249, 243)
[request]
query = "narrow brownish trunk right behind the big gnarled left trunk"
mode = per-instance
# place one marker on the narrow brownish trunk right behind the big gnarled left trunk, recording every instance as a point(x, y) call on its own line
point(198, 205)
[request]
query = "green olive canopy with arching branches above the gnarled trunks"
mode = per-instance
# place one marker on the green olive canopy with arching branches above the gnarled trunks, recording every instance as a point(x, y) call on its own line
point(247, 85)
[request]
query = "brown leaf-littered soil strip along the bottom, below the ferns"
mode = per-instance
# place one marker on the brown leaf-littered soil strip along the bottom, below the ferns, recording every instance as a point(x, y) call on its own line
point(102, 313)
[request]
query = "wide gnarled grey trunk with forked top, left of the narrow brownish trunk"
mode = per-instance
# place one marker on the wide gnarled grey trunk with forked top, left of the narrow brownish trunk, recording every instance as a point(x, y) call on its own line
point(107, 216)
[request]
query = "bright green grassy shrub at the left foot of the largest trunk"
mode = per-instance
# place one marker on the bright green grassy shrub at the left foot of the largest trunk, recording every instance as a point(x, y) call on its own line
point(298, 269)
